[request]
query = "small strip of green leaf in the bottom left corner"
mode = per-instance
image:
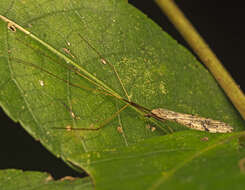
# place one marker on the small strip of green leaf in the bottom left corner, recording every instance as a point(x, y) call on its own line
point(16, 179)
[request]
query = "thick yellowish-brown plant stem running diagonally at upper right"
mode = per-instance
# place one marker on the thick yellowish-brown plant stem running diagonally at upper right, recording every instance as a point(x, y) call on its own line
point(205, 54)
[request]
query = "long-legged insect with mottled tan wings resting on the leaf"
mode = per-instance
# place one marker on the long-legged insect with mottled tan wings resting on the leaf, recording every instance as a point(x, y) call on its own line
point(160, 114)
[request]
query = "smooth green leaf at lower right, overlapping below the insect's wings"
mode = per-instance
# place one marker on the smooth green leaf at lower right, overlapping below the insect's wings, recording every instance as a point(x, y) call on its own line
point(183, 160)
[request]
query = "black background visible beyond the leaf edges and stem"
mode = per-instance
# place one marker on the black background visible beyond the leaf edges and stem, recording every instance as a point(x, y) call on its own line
point(221, 25)
